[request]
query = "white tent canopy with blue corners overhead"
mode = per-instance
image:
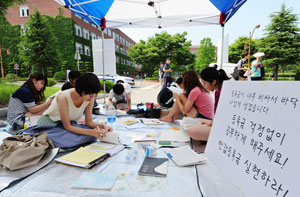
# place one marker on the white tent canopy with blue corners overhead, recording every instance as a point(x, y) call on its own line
point(154, 13)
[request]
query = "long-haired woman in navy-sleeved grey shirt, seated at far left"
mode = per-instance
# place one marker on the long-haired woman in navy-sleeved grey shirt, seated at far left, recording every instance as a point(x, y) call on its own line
point(27, 101)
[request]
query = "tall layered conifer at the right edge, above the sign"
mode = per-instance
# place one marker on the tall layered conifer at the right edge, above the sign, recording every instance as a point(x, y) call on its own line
point(282, 43)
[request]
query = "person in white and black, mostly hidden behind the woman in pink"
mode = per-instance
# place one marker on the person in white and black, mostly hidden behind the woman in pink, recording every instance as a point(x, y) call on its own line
point(165, 96)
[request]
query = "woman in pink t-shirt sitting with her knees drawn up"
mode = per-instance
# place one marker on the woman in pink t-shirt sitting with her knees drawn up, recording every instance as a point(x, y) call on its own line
point(194, 102)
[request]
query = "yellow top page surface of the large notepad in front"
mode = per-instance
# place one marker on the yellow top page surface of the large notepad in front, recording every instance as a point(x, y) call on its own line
point(82, 156)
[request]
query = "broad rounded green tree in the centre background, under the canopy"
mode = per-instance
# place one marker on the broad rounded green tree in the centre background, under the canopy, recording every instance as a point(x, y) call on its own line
point(156, 49)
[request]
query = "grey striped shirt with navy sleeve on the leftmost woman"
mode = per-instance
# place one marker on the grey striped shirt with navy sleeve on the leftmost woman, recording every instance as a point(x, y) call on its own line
point(22, 99)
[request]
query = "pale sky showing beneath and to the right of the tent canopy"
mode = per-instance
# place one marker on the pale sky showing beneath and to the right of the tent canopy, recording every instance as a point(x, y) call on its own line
point(252, 13)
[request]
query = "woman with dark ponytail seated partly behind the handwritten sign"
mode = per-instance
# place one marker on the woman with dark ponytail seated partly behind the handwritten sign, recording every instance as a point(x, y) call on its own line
point(212, 80)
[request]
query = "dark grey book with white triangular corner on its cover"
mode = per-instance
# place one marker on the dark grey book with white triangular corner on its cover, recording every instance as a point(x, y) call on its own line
point(153, 166)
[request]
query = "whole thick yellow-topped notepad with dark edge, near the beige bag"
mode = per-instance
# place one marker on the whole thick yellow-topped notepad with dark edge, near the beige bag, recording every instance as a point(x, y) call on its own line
point(82, 158)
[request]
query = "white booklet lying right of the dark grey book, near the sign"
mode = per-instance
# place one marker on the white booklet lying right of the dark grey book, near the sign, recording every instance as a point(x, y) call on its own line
point(184, 156)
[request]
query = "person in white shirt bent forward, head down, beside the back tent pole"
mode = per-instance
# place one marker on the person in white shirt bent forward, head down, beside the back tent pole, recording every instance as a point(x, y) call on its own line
point(120, 96)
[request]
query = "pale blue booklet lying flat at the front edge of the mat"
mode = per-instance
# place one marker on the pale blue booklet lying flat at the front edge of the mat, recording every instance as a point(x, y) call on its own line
point(95, 180)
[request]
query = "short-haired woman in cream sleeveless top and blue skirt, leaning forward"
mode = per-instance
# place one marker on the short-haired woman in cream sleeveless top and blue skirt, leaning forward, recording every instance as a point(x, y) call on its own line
point(59, 120)
